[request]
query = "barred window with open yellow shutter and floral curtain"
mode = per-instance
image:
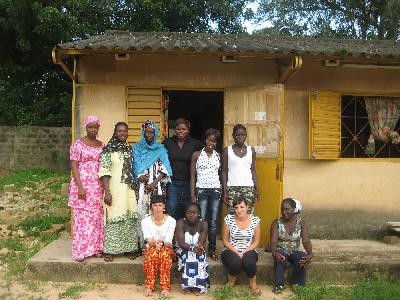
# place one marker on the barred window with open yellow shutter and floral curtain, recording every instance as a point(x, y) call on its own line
point(340, 126)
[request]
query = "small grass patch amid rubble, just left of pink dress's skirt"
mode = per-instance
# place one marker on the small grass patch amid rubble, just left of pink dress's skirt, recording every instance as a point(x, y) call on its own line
point(34, 225)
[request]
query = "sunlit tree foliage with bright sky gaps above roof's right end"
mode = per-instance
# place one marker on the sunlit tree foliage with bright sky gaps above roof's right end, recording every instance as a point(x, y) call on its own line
point(368, 19)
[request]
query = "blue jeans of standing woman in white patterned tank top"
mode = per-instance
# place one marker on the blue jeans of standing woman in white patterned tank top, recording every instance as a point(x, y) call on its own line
point(209, 201)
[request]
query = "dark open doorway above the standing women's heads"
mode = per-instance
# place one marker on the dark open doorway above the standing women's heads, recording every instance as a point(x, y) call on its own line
point(204, 109)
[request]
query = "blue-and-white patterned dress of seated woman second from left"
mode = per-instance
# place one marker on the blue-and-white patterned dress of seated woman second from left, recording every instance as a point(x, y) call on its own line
point(194, 268)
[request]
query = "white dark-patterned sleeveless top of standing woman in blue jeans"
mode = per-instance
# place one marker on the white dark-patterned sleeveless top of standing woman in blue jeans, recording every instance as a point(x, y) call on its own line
point(207, 170)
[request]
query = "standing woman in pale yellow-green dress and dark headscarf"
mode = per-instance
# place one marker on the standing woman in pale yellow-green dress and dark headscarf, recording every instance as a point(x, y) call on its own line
point(119, 196)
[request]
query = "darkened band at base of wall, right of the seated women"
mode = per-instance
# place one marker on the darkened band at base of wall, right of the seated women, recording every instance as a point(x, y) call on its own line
point(347, 224)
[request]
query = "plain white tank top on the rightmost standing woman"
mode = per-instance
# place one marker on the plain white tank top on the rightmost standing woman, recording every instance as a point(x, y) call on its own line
point(239, 168)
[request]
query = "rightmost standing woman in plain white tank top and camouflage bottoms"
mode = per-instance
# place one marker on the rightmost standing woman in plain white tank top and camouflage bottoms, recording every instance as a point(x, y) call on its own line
point(238, 171)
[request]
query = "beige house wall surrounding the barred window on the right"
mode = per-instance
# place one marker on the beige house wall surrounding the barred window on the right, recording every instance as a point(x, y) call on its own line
point(346, 197)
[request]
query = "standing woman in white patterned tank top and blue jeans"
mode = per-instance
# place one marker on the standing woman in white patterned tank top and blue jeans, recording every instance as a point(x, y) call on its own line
point(206, 187)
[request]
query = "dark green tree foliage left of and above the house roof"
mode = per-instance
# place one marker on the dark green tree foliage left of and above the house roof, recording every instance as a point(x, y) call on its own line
point(37, 92)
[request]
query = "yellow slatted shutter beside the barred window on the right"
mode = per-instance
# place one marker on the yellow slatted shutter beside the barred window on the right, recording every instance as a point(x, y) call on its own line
point(324, 124)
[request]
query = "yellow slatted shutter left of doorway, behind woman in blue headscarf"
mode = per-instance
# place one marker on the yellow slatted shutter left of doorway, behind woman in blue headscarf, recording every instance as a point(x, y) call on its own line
point(143, 104)
